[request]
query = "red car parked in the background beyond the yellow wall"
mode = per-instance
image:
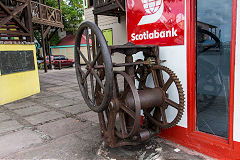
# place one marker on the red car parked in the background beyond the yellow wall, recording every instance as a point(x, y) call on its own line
point(57, 59)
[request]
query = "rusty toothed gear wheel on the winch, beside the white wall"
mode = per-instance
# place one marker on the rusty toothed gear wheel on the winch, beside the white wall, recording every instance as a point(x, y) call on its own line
point(157, 115)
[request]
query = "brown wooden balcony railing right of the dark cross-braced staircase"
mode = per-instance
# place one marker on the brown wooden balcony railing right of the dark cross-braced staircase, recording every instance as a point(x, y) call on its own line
point(43, 14)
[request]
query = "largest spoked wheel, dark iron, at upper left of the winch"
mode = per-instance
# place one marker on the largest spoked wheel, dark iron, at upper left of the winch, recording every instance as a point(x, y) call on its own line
point(93, 80)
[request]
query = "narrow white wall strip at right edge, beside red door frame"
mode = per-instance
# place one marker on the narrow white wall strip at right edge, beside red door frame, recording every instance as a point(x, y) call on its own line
point(236, 122)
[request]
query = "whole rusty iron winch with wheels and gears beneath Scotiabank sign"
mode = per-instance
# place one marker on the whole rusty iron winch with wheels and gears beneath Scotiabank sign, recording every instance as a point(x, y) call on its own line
point(131, 103)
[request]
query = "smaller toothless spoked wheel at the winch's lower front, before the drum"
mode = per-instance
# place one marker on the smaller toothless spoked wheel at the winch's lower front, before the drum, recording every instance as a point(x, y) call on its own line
point(128, 117)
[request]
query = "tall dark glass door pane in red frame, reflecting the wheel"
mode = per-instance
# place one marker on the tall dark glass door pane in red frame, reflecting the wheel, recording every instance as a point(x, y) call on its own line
point(213, 39)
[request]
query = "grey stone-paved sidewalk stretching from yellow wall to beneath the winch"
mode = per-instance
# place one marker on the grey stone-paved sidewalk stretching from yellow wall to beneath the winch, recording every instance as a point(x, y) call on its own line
point(57, 124)
